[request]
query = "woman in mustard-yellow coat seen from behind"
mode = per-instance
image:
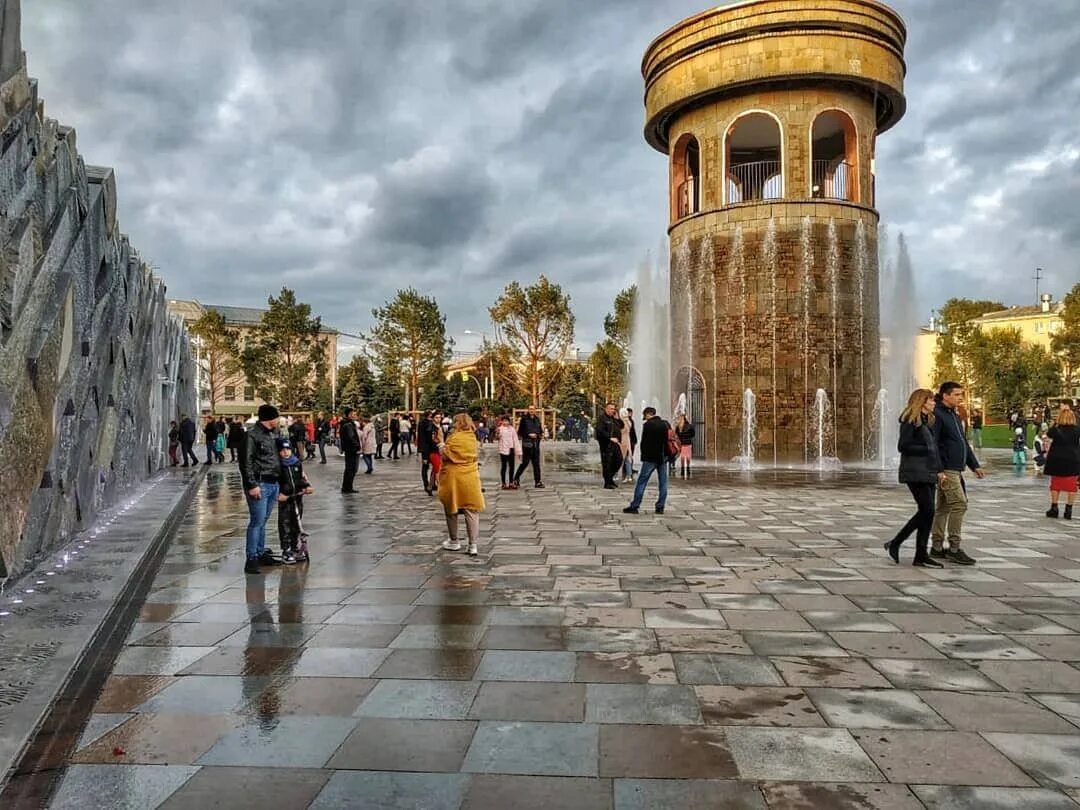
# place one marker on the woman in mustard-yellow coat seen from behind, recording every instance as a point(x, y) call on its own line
point(460, 488)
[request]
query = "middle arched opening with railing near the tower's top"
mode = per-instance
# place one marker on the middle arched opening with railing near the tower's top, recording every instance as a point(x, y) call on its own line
point(754, 158)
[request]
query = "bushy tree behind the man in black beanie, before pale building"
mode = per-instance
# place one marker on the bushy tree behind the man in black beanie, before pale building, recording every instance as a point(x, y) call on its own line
point(286, 358)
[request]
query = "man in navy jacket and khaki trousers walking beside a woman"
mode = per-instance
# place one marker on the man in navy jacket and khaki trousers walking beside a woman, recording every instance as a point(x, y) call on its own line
point(956, 455)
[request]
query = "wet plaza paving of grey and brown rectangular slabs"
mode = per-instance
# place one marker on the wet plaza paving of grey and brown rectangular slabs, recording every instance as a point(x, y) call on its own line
point(752, 649)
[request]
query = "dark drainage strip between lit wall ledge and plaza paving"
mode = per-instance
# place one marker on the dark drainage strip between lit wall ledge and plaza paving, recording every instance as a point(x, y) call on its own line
point(39, 769)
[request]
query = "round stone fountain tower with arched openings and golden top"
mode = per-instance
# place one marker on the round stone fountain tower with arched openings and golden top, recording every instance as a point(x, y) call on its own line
point(769, 112)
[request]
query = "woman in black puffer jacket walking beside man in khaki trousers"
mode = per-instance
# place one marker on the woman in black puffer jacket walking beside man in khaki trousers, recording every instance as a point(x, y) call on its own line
point(921, 468)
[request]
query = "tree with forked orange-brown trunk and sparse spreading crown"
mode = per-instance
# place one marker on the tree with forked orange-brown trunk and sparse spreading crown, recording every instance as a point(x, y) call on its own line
point(538, 325)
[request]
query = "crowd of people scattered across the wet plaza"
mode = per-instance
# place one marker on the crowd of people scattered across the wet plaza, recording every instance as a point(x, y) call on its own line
point(933, 443)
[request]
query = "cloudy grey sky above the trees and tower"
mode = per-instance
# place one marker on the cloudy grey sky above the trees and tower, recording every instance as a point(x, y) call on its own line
point(347, 148)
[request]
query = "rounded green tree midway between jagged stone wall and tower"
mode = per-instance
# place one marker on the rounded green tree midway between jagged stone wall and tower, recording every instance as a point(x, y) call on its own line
point(409, 342)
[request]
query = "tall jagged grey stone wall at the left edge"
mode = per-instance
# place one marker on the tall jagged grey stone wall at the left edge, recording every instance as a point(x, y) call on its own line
point(92, 368)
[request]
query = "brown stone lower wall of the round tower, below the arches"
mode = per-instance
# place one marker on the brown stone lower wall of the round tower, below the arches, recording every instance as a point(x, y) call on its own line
point(754, 292)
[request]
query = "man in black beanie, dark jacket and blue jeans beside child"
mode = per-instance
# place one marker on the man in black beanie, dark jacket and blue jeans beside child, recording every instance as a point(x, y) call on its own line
point(260, 469)
